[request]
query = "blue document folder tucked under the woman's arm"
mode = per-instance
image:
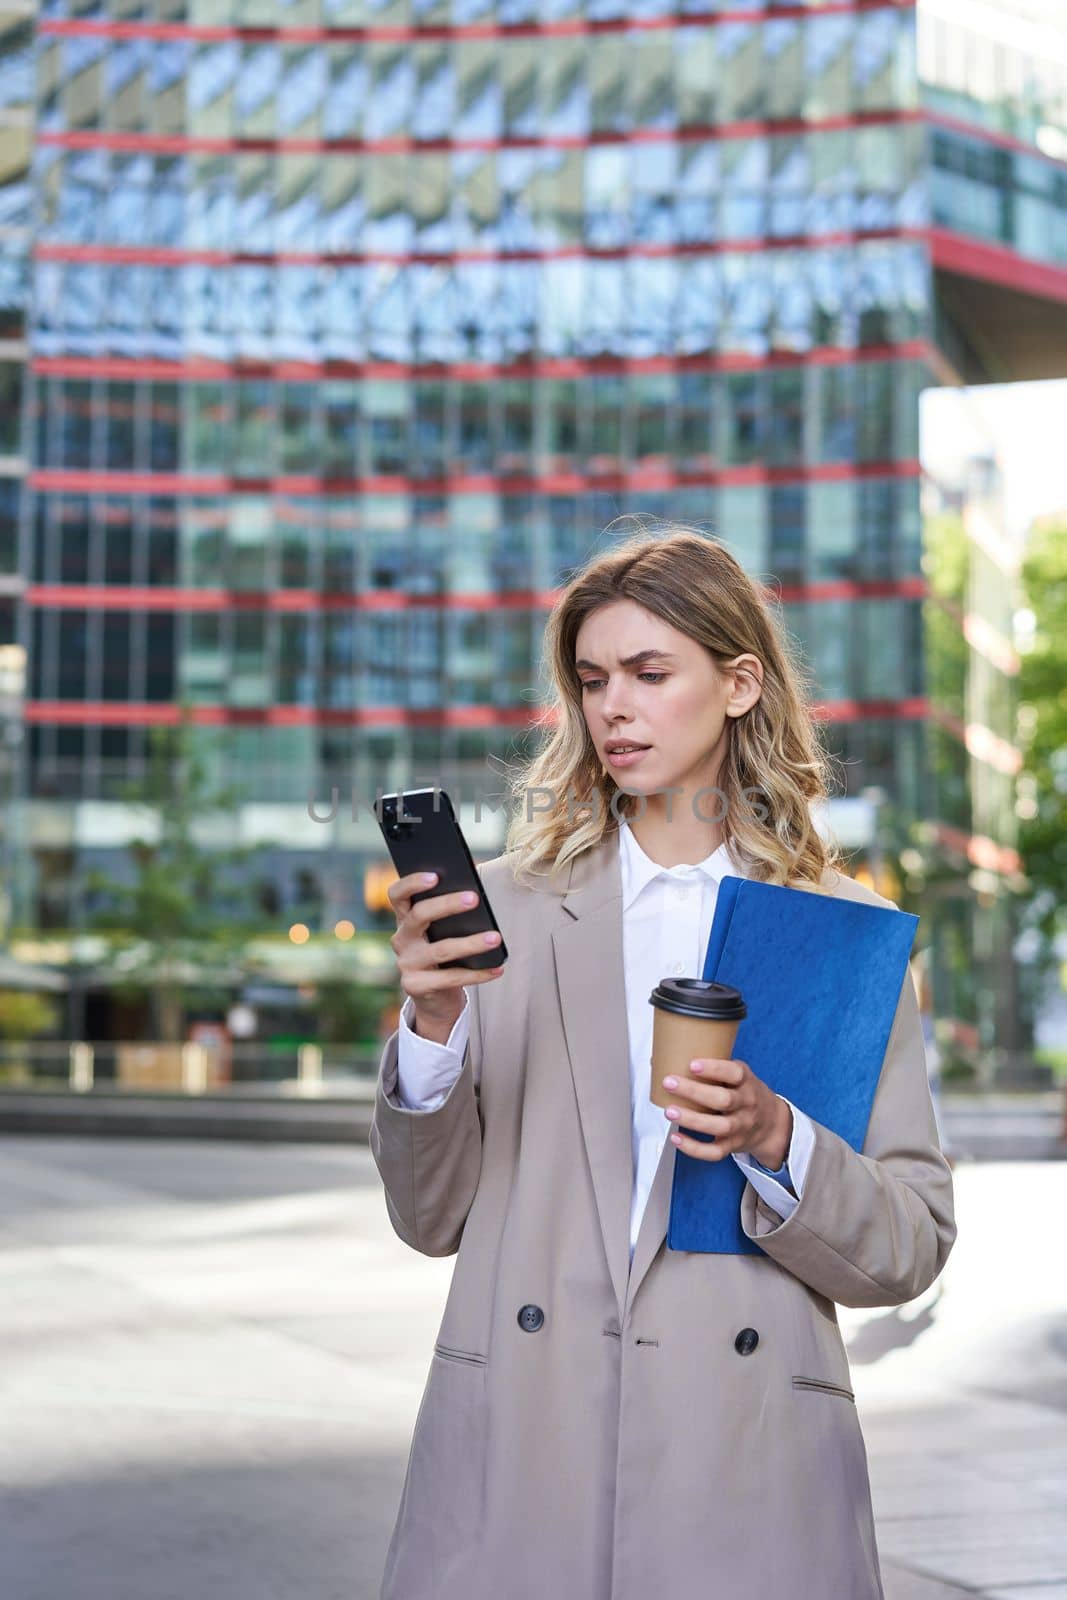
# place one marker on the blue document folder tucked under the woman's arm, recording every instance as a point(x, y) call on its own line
point(821, 980)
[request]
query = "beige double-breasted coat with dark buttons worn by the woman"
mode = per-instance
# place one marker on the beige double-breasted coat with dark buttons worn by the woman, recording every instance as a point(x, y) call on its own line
point(594, 1430)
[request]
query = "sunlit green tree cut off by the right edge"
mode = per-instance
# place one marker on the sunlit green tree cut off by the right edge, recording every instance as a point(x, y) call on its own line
point(1044, 727)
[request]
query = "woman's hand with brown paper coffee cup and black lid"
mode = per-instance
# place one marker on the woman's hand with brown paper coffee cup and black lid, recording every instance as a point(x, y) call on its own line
point(698, 1084)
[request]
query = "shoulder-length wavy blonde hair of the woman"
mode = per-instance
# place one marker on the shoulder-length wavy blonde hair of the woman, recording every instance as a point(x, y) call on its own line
point(693, 583)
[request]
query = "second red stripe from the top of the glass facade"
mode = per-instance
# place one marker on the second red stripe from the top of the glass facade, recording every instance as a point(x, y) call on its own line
point(201, 145)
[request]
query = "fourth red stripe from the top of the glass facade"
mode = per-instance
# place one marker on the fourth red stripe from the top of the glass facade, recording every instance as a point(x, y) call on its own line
point(198, 369)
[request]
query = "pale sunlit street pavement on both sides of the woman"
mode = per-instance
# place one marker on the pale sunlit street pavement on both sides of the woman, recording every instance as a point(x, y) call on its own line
point(214, 1358)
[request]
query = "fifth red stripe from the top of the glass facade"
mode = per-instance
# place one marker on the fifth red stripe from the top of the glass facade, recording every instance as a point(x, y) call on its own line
point(63, 481)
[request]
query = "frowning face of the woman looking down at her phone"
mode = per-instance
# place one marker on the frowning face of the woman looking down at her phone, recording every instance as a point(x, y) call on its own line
point(676, 703)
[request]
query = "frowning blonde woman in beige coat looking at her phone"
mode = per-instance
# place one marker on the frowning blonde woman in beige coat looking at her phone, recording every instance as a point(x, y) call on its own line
point(607, 1418)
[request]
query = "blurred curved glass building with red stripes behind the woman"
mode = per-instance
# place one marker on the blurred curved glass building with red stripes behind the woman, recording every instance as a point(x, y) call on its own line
point(337, 334)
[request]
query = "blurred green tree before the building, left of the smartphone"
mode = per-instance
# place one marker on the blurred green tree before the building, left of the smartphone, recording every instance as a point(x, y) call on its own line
point(186, 910)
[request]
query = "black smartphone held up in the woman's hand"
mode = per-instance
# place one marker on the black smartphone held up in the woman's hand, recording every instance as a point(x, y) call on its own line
point(423, 836)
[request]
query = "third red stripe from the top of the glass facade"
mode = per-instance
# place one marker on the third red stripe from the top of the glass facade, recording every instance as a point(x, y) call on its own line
point(158, 257)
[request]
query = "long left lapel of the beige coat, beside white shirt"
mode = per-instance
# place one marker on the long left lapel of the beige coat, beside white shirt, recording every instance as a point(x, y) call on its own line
point(588, 953)
